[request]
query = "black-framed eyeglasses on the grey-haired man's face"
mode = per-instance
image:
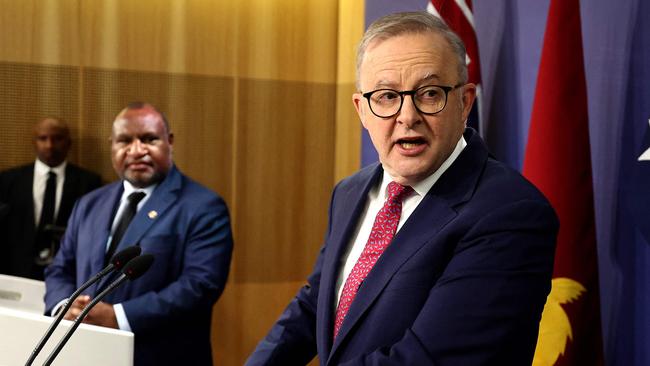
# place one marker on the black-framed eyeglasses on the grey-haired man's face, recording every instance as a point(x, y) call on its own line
point(428, 99)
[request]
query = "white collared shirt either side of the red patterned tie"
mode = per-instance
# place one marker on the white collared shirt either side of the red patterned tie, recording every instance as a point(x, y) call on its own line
point(375, 202)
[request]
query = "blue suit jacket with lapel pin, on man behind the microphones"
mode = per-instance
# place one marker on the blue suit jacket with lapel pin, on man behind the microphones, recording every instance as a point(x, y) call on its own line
point(187, 229)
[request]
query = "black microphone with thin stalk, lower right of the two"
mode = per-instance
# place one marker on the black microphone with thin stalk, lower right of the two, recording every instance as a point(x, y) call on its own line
point(132, 270)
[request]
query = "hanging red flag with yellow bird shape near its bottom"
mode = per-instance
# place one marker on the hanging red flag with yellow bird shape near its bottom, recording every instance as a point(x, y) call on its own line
point(558, 162)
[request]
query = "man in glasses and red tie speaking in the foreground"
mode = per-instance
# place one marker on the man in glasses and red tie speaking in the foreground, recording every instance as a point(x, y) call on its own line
point(468, 244)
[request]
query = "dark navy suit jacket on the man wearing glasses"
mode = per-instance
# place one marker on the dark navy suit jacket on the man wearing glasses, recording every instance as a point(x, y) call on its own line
point(463, 282)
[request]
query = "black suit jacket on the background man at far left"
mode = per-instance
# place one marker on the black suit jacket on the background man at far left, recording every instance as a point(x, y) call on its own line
point(18, 228)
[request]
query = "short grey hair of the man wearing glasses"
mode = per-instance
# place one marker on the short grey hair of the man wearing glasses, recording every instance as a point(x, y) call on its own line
point(398, 24)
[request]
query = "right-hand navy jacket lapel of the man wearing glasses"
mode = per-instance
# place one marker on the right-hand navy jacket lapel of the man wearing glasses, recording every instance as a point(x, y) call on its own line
point(436, 209)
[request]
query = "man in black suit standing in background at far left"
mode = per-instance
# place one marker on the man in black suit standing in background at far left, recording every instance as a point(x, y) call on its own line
point(28, 243)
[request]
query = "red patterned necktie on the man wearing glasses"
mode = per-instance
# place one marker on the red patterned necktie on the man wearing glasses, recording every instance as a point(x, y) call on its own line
point(380, 237)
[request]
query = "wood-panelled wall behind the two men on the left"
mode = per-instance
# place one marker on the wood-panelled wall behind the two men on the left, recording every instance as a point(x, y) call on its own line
point(259, 98)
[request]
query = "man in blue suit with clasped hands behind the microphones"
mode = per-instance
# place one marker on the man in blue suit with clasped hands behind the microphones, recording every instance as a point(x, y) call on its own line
point(183, 224)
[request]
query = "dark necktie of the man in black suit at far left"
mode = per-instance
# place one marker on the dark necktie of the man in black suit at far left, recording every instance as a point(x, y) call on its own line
point(44, 246)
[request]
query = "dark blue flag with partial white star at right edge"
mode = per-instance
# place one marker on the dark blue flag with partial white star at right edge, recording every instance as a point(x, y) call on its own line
point(631, 249)
